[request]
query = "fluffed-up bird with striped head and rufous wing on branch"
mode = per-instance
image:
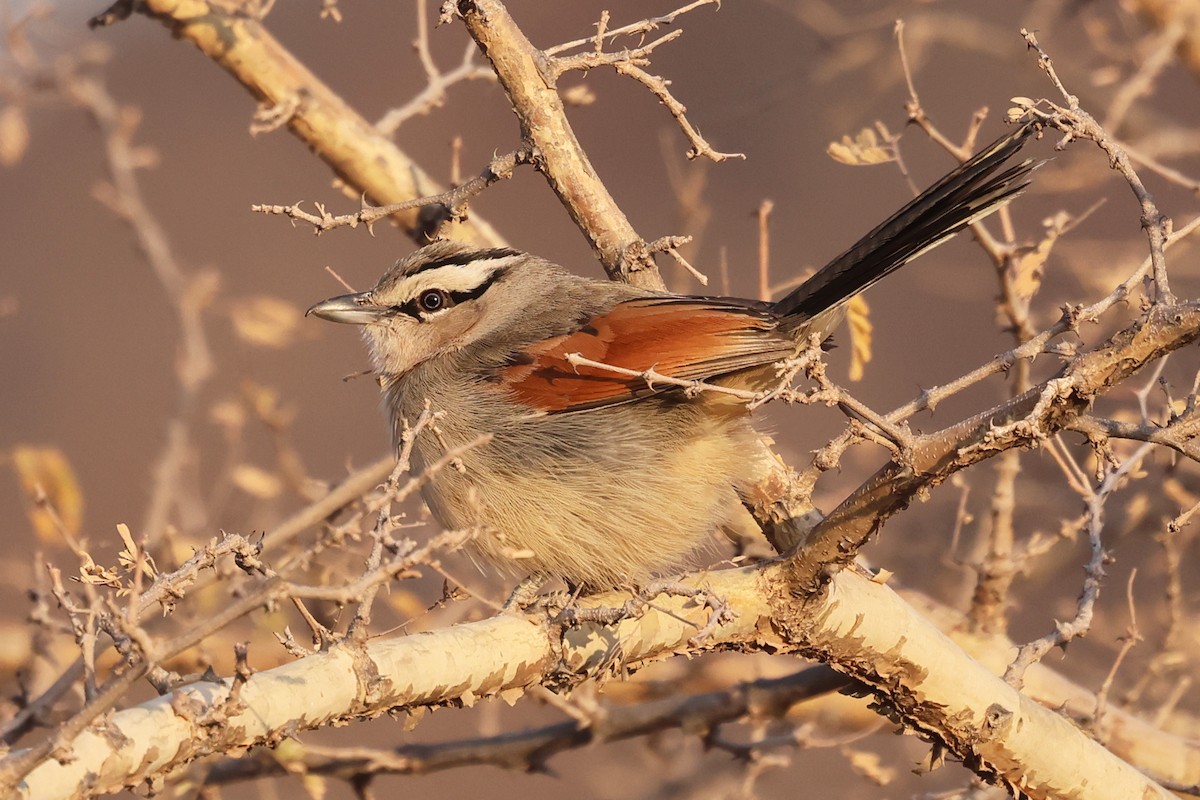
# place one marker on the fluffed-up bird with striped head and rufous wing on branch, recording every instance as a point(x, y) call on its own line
point(591, 472)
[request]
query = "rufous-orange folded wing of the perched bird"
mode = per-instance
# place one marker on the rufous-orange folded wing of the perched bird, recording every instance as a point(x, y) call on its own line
point(689, 339)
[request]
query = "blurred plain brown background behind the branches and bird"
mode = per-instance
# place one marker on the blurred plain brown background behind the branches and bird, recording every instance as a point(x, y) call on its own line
point(88, 342)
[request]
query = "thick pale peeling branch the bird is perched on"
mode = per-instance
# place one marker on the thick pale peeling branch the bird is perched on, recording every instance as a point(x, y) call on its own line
point(859, 625)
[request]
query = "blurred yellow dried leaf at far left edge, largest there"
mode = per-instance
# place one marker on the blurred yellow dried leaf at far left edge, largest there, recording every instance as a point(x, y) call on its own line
point(46, 473)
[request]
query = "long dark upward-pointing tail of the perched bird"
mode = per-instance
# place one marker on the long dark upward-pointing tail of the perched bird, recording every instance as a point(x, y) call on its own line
point(968, 194)
